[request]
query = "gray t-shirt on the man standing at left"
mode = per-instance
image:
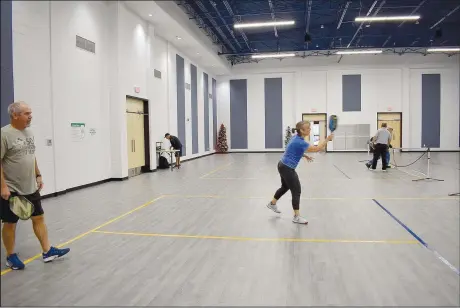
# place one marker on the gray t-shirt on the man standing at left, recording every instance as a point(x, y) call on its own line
point(18, 160)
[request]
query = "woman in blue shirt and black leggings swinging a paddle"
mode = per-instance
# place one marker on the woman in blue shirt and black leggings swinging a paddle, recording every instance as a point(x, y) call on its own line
point(295, 150)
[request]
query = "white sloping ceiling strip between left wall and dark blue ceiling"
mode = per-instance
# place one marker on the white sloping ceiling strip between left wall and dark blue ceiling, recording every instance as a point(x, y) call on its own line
point(171, 22)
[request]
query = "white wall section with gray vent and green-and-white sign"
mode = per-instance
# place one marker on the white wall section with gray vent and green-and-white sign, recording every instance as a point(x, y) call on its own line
point(79, 92)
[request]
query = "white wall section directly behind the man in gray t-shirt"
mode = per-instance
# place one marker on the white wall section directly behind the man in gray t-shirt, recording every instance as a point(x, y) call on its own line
point(32, 81)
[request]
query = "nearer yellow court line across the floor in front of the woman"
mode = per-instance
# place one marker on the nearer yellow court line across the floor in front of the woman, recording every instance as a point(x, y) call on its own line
point(237, 238)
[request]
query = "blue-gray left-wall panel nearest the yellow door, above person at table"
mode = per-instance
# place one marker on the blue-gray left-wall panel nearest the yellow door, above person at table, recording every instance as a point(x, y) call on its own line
point(180, 73)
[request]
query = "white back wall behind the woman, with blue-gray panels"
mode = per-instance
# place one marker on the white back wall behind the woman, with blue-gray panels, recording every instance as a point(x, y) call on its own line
point(390, 84)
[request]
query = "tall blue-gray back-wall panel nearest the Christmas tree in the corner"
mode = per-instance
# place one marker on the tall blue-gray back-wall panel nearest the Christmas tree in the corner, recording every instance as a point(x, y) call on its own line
point(239, 114)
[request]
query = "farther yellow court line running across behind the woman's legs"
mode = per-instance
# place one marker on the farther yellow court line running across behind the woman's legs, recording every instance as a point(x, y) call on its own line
point(311, 198)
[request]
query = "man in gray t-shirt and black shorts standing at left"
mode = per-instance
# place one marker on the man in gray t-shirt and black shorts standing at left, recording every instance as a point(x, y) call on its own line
point(20, 176)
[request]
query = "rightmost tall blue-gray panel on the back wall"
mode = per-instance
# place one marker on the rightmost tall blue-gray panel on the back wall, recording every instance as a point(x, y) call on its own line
point(431, 110)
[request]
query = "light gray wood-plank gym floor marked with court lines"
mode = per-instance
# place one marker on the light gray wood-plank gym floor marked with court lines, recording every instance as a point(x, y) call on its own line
point(202, 235)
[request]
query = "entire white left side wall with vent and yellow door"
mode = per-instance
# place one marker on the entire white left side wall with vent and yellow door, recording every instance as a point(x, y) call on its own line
point(64, 84)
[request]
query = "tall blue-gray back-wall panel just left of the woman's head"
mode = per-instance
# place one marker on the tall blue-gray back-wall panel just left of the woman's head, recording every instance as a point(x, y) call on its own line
point(273, 113)
